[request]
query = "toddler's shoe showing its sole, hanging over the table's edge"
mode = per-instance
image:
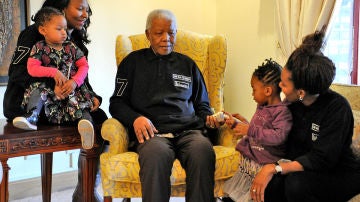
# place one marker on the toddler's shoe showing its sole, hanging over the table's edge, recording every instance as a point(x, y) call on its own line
point(87, 133)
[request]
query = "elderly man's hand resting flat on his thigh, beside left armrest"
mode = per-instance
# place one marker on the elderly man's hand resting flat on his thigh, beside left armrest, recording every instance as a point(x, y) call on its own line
point(144, 129)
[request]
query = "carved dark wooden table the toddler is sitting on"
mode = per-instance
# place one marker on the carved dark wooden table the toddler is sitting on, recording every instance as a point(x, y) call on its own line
point(16, 142)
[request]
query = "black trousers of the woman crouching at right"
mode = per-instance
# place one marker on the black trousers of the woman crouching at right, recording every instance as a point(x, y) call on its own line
point(310, 186)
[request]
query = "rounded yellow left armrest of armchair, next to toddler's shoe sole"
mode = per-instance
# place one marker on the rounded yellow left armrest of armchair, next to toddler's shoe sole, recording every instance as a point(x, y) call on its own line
point(113, 131)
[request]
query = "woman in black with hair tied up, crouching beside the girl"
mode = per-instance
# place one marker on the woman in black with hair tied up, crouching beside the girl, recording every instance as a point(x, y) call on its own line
point(322, 165)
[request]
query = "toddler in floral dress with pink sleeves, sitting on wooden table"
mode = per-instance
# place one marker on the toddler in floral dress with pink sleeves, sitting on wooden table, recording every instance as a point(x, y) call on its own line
point(58, 68)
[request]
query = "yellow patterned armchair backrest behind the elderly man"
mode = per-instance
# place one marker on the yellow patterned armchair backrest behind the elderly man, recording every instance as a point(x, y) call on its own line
point(209, 53)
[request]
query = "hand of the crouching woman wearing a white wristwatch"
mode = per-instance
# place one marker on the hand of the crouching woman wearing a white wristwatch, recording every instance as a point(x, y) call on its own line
point(261, 181)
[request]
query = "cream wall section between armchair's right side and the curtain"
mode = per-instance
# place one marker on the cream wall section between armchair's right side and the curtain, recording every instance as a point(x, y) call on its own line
point(249, 28)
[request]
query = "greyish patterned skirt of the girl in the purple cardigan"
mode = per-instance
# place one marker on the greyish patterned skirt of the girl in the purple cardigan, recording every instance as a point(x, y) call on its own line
point(238, 187)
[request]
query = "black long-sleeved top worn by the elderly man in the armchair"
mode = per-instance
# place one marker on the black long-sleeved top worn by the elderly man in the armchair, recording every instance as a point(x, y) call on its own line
point(168, 90)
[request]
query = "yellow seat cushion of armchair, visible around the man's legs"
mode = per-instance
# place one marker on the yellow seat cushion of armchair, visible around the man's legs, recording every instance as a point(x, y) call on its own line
point(125, 166)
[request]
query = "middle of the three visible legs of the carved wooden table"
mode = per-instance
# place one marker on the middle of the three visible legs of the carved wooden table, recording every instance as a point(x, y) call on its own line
point(46, 176)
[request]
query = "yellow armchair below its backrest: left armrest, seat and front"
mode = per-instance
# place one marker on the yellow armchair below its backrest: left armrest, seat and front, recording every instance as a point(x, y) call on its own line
point(120, 170)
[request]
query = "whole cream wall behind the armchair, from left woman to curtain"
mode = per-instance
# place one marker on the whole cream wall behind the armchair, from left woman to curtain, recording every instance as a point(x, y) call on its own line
point(247, 24)
